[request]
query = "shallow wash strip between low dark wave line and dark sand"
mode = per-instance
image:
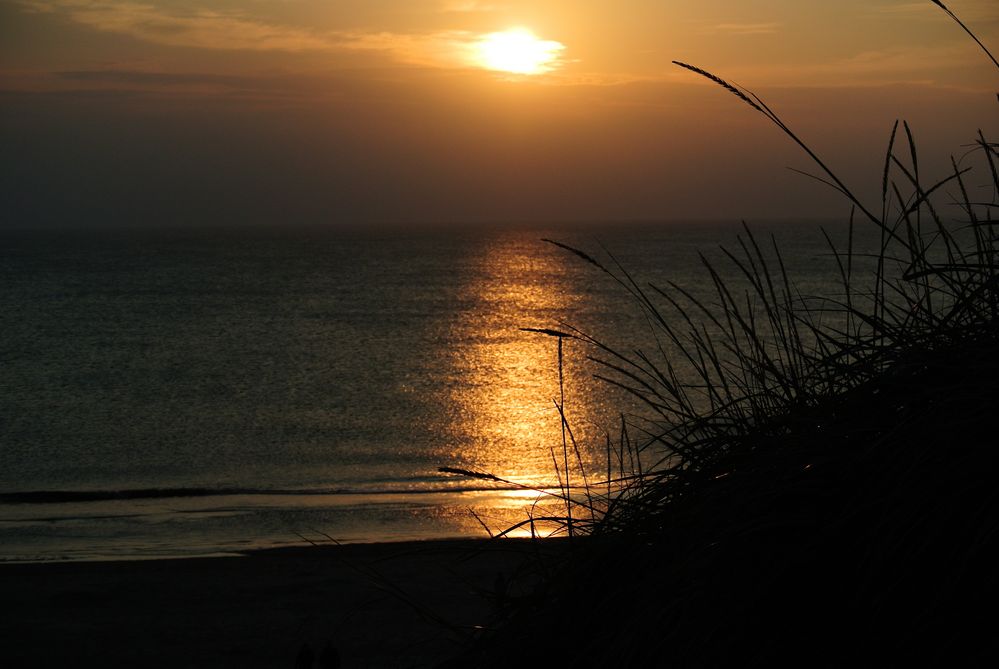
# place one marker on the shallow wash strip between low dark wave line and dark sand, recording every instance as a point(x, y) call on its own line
point(230, 524)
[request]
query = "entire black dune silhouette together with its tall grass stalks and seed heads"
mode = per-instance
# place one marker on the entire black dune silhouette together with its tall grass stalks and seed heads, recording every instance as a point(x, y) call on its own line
point(814, 484)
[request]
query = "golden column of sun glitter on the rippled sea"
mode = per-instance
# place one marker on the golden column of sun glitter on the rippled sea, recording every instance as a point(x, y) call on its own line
point(509, 424)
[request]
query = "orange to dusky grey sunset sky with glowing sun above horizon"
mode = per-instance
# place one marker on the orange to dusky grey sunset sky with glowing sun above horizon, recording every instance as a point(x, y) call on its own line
point(168, 111)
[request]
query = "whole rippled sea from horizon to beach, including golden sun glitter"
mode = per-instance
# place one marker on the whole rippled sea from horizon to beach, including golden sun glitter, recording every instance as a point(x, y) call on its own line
point(203, 392)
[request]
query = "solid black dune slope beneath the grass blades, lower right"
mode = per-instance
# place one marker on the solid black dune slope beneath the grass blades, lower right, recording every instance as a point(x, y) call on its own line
point(860, 532)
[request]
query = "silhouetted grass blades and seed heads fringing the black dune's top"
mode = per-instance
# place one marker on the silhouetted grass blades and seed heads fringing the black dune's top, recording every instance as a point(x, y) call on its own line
point(761, 358)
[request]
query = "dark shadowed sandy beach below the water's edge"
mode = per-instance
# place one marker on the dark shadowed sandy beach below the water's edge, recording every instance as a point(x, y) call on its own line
point(379, 605)
